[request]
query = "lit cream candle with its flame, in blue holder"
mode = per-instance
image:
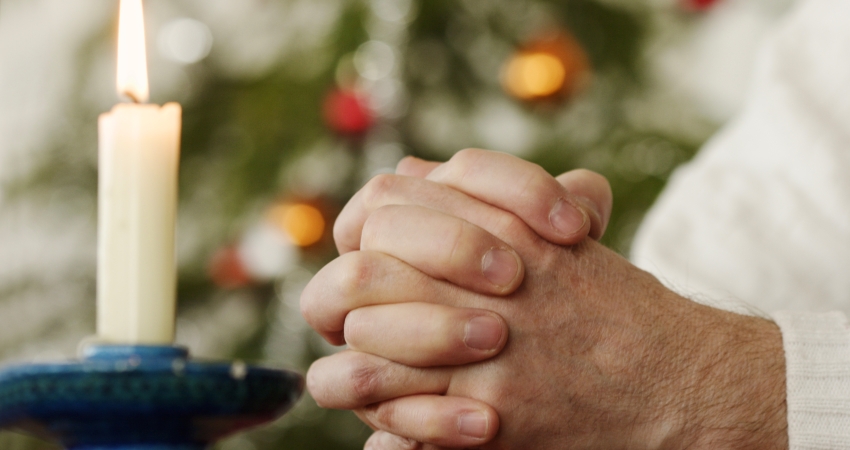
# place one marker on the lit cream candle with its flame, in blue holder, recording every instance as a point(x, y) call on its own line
point(137, 201)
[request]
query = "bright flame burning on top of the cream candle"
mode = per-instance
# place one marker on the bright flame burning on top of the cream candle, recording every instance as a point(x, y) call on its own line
point(132, 79)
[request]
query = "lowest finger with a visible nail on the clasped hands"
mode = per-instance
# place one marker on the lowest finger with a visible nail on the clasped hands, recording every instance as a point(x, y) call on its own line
point(454, 422)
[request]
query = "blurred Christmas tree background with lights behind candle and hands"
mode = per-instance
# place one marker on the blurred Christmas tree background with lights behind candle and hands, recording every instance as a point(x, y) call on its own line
point(291, 105)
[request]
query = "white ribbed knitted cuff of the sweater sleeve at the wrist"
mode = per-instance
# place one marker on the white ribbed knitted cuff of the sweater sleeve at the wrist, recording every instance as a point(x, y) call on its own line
point(817, 358)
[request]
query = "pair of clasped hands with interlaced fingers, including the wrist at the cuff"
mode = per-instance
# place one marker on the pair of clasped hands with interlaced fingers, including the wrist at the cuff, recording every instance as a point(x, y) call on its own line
point(479, 312)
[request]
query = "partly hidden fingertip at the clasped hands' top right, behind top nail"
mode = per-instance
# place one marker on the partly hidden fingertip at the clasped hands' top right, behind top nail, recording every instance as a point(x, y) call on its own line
point(594, 192)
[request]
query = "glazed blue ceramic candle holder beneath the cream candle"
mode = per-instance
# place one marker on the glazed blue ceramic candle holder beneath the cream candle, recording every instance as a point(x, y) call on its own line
point(142, 398)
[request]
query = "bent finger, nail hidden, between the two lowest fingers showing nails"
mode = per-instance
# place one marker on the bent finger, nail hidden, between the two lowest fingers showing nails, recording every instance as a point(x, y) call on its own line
point(352, 380)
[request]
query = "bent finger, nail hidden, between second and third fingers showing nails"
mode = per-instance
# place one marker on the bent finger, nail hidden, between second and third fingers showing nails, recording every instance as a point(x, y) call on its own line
point(366, 278)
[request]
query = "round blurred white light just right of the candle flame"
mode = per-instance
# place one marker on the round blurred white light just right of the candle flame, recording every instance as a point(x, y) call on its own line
point(185, 41)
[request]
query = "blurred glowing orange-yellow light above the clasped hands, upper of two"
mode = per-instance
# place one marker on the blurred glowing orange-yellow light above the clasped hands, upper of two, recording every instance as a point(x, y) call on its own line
point(534, 75)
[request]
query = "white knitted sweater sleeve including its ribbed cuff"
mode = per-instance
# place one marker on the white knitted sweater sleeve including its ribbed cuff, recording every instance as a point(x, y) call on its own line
point(762, 215)
